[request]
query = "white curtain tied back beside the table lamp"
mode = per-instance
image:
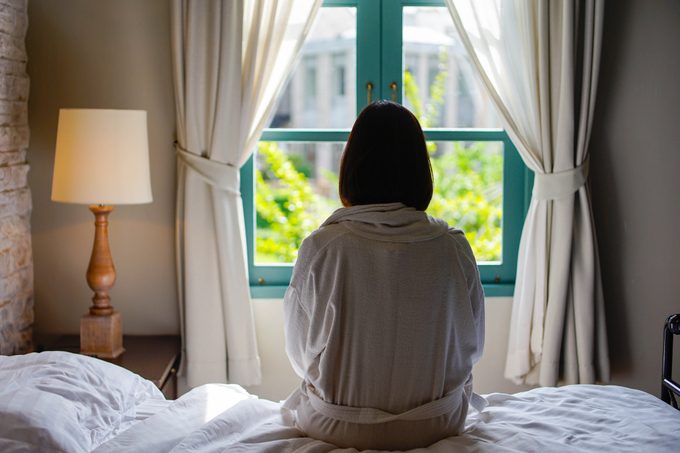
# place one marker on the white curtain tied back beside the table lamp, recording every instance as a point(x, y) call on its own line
point(230, 58)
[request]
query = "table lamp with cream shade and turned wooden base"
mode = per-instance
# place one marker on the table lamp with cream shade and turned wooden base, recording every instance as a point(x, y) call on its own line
point(101, 159)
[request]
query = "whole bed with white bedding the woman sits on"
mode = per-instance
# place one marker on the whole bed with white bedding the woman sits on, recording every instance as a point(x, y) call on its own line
point(60, 401)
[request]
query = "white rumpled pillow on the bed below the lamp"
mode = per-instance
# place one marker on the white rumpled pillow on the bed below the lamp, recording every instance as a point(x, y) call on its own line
point(64, 401)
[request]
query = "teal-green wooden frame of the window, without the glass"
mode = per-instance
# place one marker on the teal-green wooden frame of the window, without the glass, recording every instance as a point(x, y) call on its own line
point(381, 65)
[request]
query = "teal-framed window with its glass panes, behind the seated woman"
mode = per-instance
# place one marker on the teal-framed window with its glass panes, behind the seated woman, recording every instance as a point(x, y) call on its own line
point(407, 51)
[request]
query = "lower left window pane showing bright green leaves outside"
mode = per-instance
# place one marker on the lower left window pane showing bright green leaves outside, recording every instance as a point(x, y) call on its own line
point(295, 191)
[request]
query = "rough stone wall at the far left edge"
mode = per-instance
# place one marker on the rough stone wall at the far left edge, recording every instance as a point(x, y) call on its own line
point(16, 259)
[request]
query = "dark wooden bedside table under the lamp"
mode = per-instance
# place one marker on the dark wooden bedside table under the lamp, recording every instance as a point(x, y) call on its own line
point(154, 357)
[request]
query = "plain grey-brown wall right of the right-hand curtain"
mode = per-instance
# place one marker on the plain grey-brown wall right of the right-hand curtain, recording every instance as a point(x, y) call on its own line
point(636, 183)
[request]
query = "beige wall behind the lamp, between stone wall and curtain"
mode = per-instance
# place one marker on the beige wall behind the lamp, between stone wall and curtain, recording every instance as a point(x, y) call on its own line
point(102, 54)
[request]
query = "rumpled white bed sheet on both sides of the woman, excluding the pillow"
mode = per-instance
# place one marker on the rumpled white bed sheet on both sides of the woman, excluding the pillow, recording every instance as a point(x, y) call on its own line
point(577, 418)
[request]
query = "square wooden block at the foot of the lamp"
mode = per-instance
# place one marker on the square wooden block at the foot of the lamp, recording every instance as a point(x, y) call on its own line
point(101, 336)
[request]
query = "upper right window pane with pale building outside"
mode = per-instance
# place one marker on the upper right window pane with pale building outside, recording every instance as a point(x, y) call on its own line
point(439, 84)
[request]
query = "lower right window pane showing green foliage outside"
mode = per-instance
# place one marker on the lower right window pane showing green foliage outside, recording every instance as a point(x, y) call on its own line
point(468, 192)
